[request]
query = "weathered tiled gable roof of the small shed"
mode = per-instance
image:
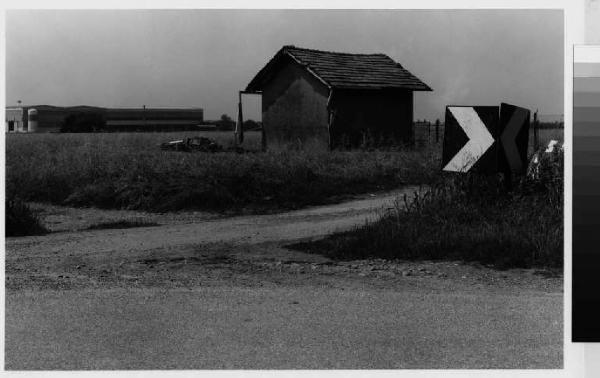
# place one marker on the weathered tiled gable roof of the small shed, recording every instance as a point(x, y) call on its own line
point(343, 70)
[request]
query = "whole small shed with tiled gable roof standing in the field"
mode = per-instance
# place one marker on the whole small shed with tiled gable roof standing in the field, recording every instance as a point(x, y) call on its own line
point(328, 99)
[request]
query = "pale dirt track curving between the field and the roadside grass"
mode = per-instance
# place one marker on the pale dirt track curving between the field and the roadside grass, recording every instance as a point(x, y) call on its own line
point(294, 225)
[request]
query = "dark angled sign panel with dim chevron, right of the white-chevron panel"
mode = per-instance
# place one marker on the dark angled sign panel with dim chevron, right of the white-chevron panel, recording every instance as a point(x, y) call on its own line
point(514, 138)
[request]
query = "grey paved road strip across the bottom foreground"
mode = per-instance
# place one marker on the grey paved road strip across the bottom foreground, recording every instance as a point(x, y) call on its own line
point(284, 328)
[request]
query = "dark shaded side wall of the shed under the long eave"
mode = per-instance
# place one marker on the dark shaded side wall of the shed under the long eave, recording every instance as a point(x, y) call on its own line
point(373, 116)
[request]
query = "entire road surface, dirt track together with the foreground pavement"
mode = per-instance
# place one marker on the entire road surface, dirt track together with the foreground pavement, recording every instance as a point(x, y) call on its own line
point(226, 293)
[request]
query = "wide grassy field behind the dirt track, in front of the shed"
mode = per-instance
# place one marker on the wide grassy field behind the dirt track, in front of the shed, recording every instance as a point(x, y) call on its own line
point(129, 171)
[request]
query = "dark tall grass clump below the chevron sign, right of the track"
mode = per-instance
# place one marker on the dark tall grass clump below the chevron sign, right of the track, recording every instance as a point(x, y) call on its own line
point(466, 217)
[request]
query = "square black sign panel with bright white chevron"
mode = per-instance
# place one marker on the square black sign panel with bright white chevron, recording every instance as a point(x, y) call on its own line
point(470, 139)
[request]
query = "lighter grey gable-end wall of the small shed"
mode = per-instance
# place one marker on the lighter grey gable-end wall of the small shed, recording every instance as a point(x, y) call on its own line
point(294, 106)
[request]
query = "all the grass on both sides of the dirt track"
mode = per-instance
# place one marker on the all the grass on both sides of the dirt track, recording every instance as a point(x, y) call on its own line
point(462, 217)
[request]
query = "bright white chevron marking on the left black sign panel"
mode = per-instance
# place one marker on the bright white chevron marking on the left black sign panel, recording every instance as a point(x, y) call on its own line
point(479, 142)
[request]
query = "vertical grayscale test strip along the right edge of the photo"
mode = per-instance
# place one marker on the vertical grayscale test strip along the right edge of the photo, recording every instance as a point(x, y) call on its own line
point(586, 199)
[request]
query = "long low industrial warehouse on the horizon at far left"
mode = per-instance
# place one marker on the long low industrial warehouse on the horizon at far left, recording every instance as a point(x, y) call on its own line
point(47, 119)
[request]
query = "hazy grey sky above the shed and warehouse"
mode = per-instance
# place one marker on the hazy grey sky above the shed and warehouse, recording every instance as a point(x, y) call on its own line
point(202, 58)
